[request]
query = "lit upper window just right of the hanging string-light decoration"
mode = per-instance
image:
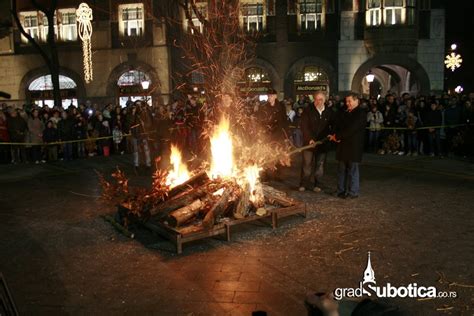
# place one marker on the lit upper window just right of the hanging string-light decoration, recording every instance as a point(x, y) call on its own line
point(131, 19)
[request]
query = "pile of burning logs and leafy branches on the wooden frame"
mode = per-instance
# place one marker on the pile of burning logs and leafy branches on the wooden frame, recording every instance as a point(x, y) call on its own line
point(198, 204)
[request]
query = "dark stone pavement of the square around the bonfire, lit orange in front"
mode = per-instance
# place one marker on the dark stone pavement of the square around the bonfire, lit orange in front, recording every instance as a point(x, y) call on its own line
point(59, 257)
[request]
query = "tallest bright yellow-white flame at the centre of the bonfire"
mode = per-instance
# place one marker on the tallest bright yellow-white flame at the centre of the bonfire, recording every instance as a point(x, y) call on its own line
point(222, 164)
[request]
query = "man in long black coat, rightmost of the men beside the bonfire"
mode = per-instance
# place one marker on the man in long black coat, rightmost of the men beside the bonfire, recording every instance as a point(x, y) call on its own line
point(350, 135)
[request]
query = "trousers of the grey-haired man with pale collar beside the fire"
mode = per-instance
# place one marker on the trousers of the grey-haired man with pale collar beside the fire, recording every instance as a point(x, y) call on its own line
point(312, 168)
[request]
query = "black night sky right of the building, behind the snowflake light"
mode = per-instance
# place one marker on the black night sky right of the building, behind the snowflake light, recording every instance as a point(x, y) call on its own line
point(460, 30)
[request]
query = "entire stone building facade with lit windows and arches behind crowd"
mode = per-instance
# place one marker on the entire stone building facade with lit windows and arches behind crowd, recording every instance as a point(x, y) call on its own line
point(303, 46)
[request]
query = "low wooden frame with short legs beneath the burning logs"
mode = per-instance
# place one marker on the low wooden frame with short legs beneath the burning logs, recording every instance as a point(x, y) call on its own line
point(178, 238)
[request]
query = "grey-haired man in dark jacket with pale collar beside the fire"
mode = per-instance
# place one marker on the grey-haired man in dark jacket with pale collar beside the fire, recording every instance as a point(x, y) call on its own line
point(316, 124)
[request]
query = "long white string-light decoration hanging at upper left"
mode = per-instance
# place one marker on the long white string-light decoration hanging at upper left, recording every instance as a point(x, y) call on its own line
point(84, 18)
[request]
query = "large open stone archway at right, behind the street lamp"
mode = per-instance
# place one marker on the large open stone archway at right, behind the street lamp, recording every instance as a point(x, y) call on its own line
point(396, 73)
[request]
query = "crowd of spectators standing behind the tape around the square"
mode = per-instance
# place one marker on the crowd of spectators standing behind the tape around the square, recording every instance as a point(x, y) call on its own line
point(434, 126)
